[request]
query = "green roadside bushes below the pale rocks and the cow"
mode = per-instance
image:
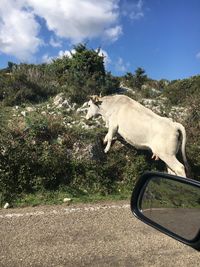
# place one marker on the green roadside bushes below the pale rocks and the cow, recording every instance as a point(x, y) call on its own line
point(36, 155)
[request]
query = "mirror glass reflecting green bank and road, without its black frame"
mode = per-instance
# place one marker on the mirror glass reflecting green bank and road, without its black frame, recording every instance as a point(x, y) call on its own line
point(173, 205)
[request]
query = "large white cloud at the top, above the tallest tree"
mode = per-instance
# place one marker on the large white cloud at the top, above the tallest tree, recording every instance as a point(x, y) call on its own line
point(77, 20)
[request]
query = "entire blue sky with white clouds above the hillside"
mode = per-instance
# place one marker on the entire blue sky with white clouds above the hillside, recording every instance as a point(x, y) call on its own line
point(161, 36)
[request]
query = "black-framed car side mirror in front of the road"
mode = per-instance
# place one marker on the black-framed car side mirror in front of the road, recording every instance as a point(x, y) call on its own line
point(169, 203)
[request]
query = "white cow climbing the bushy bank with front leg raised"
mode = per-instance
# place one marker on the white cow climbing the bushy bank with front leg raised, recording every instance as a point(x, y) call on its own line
point(142, 128)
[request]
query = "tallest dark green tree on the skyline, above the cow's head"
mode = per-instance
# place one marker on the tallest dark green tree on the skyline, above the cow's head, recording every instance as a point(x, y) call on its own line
point(86, 75)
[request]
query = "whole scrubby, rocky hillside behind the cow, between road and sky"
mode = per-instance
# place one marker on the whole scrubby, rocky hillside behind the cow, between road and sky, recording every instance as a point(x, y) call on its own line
point(47, 147)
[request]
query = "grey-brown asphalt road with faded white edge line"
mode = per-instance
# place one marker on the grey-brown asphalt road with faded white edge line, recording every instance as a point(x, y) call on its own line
point(103, 234)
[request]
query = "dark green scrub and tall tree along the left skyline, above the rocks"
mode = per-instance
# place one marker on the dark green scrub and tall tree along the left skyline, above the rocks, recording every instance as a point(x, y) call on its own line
point(78, 75)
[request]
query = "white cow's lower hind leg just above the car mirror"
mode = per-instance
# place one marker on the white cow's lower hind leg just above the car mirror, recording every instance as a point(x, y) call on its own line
point(174, 165)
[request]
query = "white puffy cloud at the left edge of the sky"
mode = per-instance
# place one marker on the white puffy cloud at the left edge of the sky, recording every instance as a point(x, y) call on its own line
point(18, 30)
